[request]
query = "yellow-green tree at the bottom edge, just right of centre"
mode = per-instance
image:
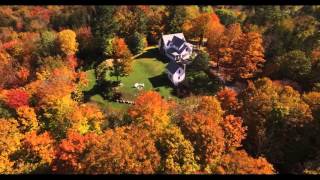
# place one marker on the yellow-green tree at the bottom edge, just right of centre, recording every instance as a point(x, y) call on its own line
point(177, 153)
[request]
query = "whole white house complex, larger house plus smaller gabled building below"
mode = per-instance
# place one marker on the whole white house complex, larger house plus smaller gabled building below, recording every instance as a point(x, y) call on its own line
point(179, 51)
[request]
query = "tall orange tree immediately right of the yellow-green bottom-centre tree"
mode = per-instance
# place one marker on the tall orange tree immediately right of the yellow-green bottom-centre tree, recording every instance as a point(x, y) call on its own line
point(199, 123)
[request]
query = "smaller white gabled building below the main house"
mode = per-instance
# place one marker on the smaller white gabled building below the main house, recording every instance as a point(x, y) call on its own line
point(176, 72)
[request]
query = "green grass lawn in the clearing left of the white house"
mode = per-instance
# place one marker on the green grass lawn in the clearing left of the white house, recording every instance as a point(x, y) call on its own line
point(148, 68)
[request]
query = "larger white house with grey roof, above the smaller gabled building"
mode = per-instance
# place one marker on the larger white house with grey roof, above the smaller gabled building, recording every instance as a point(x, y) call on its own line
point(175, 47)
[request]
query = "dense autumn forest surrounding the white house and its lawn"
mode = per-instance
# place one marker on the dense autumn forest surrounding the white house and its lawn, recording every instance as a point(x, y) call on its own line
point(250, 103)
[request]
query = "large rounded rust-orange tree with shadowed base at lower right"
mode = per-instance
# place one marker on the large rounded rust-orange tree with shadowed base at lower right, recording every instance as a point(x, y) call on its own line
point(280, 124)
